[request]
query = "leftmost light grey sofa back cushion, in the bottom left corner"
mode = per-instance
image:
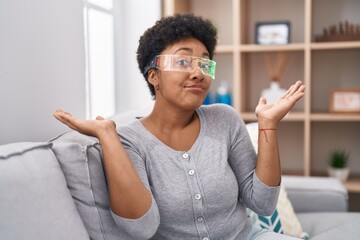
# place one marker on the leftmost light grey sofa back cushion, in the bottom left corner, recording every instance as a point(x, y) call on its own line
point(32, 186)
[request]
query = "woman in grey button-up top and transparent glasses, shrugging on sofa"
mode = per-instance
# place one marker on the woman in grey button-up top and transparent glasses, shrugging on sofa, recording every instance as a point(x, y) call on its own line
point(188, 171)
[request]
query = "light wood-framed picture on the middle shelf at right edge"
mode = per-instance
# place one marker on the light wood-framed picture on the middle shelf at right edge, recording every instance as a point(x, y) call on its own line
point(345, 100)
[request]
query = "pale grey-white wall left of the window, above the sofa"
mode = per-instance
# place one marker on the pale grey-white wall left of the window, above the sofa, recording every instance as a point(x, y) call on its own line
point(41, 66)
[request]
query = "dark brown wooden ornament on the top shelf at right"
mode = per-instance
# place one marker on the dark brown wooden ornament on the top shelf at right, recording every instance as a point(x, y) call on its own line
point(343, 31)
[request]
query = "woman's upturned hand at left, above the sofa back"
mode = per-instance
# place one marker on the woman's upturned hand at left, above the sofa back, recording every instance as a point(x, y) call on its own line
point(94, 128)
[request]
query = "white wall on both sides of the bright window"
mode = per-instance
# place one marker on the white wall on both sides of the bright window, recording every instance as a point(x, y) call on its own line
point(42, 64)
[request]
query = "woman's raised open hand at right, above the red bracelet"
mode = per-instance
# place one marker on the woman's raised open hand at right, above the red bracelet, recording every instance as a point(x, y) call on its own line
point(269, 115)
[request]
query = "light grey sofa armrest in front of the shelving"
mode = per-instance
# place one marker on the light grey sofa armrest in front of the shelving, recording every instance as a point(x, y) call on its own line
point(316, 194)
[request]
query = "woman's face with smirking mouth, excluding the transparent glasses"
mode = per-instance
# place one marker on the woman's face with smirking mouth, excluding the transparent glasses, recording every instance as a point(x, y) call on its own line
point(186, 90)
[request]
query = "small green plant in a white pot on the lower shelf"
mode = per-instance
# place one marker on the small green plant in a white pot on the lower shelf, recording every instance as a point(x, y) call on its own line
point(339, 165)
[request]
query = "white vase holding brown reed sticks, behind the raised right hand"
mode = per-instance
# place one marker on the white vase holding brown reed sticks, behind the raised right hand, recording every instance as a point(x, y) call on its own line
point(275, 67)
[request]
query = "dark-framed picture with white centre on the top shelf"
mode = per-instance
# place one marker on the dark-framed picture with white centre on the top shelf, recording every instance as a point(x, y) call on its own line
point(268, 33)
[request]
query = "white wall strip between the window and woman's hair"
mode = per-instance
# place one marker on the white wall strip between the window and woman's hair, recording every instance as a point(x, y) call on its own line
point(136, 17)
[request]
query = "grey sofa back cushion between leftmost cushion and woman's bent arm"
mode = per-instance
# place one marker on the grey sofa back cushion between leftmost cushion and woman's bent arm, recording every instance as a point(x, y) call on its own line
point(81, 161)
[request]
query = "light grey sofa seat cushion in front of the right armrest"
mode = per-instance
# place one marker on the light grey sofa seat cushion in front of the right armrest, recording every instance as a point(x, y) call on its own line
point(331, 225)
